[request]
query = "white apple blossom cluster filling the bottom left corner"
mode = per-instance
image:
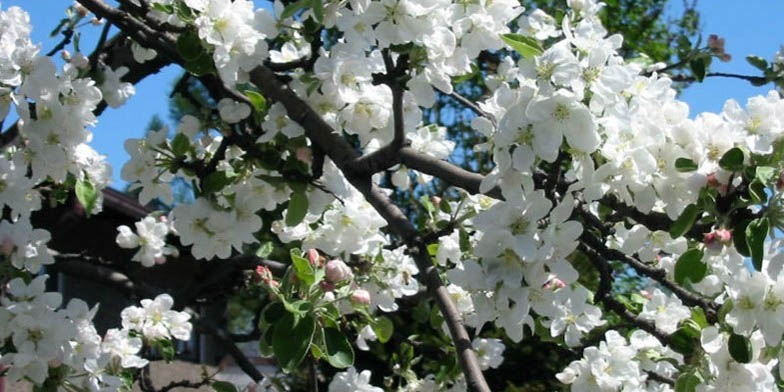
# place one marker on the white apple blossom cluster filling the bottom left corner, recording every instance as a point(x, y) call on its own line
point(38, 337)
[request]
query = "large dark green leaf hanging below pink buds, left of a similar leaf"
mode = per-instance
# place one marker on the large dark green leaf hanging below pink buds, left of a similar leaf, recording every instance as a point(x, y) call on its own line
point(291, 340)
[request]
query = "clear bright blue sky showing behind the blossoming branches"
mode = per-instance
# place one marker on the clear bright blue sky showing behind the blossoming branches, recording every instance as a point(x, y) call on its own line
point(749, 27)
